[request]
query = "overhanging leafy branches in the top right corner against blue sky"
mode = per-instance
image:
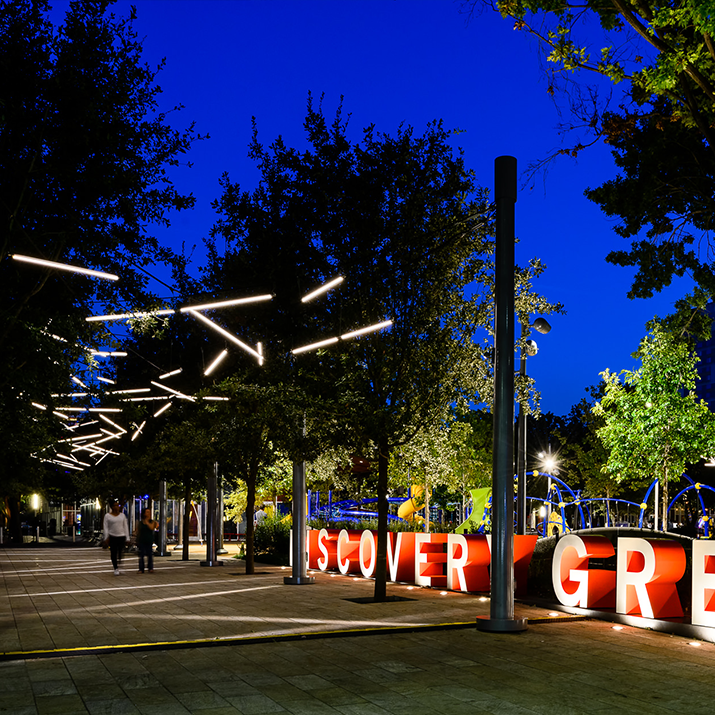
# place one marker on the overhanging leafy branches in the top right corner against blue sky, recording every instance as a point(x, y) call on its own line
point(662, 133)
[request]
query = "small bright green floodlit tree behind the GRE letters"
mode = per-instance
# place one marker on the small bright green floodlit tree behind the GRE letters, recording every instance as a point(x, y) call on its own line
point(654, 425)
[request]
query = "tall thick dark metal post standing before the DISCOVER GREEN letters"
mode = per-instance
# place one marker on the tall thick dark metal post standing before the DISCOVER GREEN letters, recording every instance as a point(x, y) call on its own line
point(502, 572)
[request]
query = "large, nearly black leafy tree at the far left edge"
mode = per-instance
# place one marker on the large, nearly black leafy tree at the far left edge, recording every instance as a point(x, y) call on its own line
point(84, 159)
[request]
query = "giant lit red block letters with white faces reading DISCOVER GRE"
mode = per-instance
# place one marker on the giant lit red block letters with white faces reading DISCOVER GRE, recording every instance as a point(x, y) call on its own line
point(644, 584)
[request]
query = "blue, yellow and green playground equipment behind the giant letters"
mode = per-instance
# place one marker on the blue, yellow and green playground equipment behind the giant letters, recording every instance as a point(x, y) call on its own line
point(561, 506)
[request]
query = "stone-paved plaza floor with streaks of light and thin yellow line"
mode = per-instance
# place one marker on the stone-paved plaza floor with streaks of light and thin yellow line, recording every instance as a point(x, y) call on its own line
point(74, 638)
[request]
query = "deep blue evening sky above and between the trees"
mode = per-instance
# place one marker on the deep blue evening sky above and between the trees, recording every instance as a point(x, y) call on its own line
point(408, 61)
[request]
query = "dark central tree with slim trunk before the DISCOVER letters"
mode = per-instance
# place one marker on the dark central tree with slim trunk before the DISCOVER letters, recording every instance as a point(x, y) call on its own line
point(403, 219)
